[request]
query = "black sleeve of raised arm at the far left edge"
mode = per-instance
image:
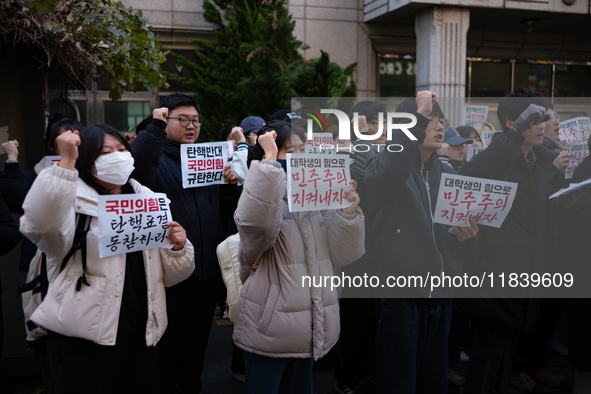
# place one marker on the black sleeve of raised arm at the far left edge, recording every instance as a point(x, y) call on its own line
point(14, 186)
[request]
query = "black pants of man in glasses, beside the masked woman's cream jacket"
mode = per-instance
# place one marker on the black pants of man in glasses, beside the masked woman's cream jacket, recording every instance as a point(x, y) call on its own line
point(181, 351)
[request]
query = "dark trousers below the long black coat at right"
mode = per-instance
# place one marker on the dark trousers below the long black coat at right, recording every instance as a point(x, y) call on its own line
point(489, 371)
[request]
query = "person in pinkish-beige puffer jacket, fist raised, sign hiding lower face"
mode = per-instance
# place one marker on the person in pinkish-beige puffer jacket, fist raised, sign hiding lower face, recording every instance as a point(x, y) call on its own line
point(281, 325)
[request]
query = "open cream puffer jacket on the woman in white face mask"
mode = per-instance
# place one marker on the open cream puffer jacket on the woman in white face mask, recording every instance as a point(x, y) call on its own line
point(93, 312)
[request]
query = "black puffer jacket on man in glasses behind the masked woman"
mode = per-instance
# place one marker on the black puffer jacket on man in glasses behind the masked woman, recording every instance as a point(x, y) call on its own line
point(202, 211)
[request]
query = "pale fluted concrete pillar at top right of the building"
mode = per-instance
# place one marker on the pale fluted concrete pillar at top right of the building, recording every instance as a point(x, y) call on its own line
point(441, 55)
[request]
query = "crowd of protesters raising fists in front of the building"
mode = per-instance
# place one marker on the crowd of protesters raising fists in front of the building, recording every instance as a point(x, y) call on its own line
point(140, 322)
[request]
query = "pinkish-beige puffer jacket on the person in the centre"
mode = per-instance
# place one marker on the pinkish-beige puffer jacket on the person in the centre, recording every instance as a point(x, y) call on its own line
point(276, 316)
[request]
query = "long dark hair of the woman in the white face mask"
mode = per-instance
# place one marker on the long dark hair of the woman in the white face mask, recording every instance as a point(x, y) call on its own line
point(92, 140)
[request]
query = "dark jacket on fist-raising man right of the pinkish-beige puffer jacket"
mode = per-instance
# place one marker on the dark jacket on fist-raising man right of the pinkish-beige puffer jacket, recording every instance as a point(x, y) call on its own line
point(403, 196)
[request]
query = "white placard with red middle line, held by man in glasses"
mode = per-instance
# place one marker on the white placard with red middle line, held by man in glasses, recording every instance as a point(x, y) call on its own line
point(203, 164)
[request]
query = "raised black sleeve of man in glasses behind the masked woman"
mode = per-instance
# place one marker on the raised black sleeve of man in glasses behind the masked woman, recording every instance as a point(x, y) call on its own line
point(147, 150)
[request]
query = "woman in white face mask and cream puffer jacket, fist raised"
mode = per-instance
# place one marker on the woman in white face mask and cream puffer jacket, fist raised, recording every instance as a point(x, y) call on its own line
point(104, 321)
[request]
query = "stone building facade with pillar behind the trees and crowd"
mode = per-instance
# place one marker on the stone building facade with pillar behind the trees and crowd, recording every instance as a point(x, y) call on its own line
point(458, 48)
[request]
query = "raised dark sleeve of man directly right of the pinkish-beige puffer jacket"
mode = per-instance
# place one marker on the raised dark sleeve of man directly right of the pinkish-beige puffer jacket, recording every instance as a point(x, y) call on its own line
point(387, 173)
